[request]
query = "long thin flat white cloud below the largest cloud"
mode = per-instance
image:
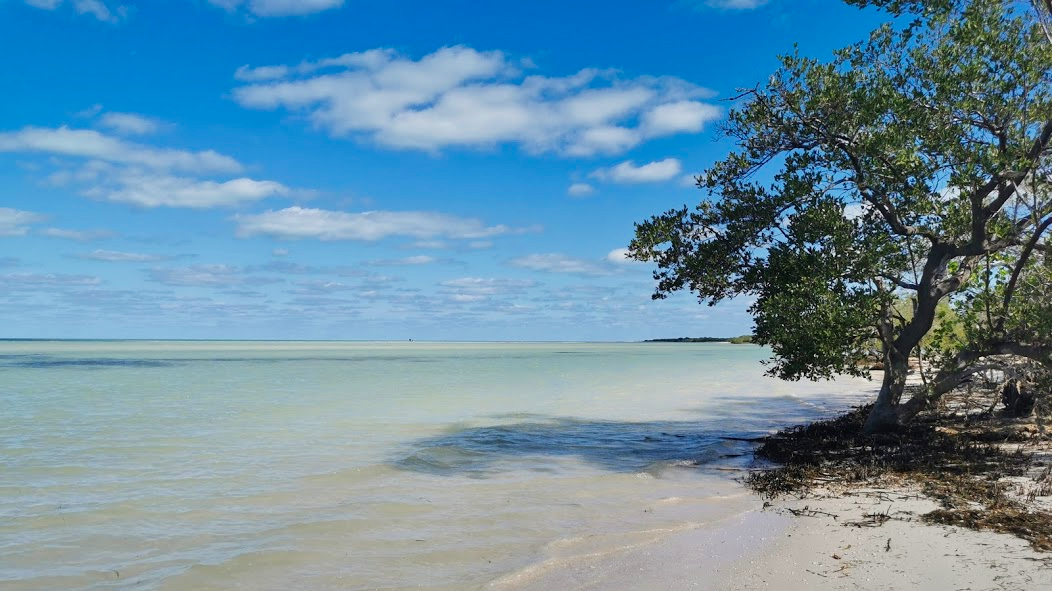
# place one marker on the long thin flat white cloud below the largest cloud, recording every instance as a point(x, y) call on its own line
point(322, 225)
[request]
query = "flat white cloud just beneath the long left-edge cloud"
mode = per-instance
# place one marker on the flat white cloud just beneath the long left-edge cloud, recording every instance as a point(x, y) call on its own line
point(148, 190)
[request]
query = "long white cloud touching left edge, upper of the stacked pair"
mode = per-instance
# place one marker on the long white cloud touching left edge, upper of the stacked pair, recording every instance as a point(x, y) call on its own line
point(92, 145)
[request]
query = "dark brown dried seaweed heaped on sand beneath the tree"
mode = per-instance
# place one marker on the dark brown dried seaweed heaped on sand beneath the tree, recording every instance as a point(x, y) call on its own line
point(959, 461)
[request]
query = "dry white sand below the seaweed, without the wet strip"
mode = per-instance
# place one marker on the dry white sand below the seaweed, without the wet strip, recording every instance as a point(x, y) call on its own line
point(821, 553)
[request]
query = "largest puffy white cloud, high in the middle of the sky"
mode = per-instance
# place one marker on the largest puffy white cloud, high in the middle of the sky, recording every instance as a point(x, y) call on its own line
point(459, 97)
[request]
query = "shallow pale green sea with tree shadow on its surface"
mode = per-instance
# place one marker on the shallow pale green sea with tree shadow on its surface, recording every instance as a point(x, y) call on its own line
point(308, 465)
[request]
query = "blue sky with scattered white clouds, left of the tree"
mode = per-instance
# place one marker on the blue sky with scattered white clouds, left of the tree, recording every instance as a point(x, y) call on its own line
point(365, 170)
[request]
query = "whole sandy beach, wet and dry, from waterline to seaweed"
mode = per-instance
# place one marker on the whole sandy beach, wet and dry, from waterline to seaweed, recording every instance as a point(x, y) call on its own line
point(771, 549)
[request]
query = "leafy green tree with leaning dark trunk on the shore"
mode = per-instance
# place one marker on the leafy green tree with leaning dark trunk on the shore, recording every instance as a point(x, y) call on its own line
point(914, 167)
